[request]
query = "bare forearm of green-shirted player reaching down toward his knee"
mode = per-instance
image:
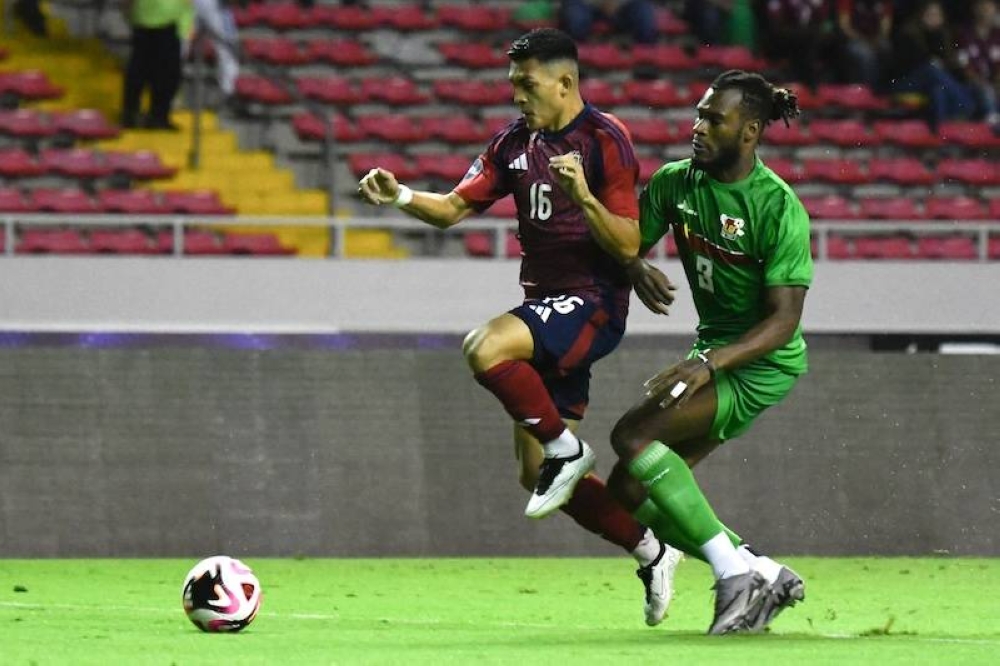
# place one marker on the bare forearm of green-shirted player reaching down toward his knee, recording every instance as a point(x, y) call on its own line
point(784, 306)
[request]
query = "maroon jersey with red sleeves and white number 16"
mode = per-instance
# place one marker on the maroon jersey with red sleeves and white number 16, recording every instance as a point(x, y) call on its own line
point(558, 253)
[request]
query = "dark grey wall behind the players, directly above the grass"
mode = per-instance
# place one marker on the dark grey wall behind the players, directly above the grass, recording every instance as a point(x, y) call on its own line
point(193, 451)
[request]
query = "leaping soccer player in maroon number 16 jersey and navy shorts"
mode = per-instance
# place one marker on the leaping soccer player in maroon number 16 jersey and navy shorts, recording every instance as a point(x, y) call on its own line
point(572, 171)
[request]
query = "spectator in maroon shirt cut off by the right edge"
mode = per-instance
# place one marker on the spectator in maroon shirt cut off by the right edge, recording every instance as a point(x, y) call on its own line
point(979, 56)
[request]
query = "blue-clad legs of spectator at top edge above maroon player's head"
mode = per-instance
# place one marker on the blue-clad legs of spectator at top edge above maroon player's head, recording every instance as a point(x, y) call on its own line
point(635, 18)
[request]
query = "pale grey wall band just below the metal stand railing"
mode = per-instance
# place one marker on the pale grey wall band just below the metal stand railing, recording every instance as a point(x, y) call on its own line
point(324, 296)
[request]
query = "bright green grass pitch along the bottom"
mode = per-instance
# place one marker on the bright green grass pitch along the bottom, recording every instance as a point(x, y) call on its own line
point(495, 611)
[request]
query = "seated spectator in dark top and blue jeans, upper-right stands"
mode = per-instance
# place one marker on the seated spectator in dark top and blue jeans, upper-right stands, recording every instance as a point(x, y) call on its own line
point(925, 61)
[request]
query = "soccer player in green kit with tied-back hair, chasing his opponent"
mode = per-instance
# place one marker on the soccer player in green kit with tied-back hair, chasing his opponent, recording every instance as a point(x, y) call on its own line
point(743, 238)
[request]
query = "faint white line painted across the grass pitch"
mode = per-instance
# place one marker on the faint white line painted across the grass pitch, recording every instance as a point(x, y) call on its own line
point(14, 605)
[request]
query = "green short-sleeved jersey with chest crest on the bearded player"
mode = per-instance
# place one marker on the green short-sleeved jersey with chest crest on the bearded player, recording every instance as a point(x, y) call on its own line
point(735, 240)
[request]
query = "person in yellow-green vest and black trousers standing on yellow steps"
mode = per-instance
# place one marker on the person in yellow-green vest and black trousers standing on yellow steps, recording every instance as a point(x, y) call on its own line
point(154, 60)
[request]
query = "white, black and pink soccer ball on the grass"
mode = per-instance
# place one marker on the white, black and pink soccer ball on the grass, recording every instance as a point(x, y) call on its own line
point(221, 594)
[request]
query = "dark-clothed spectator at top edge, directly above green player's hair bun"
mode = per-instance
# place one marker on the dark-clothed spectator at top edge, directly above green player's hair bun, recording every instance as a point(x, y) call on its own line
point(798, 32)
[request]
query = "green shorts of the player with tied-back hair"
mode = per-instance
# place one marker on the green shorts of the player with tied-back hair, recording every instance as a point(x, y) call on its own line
point(744, 393)
